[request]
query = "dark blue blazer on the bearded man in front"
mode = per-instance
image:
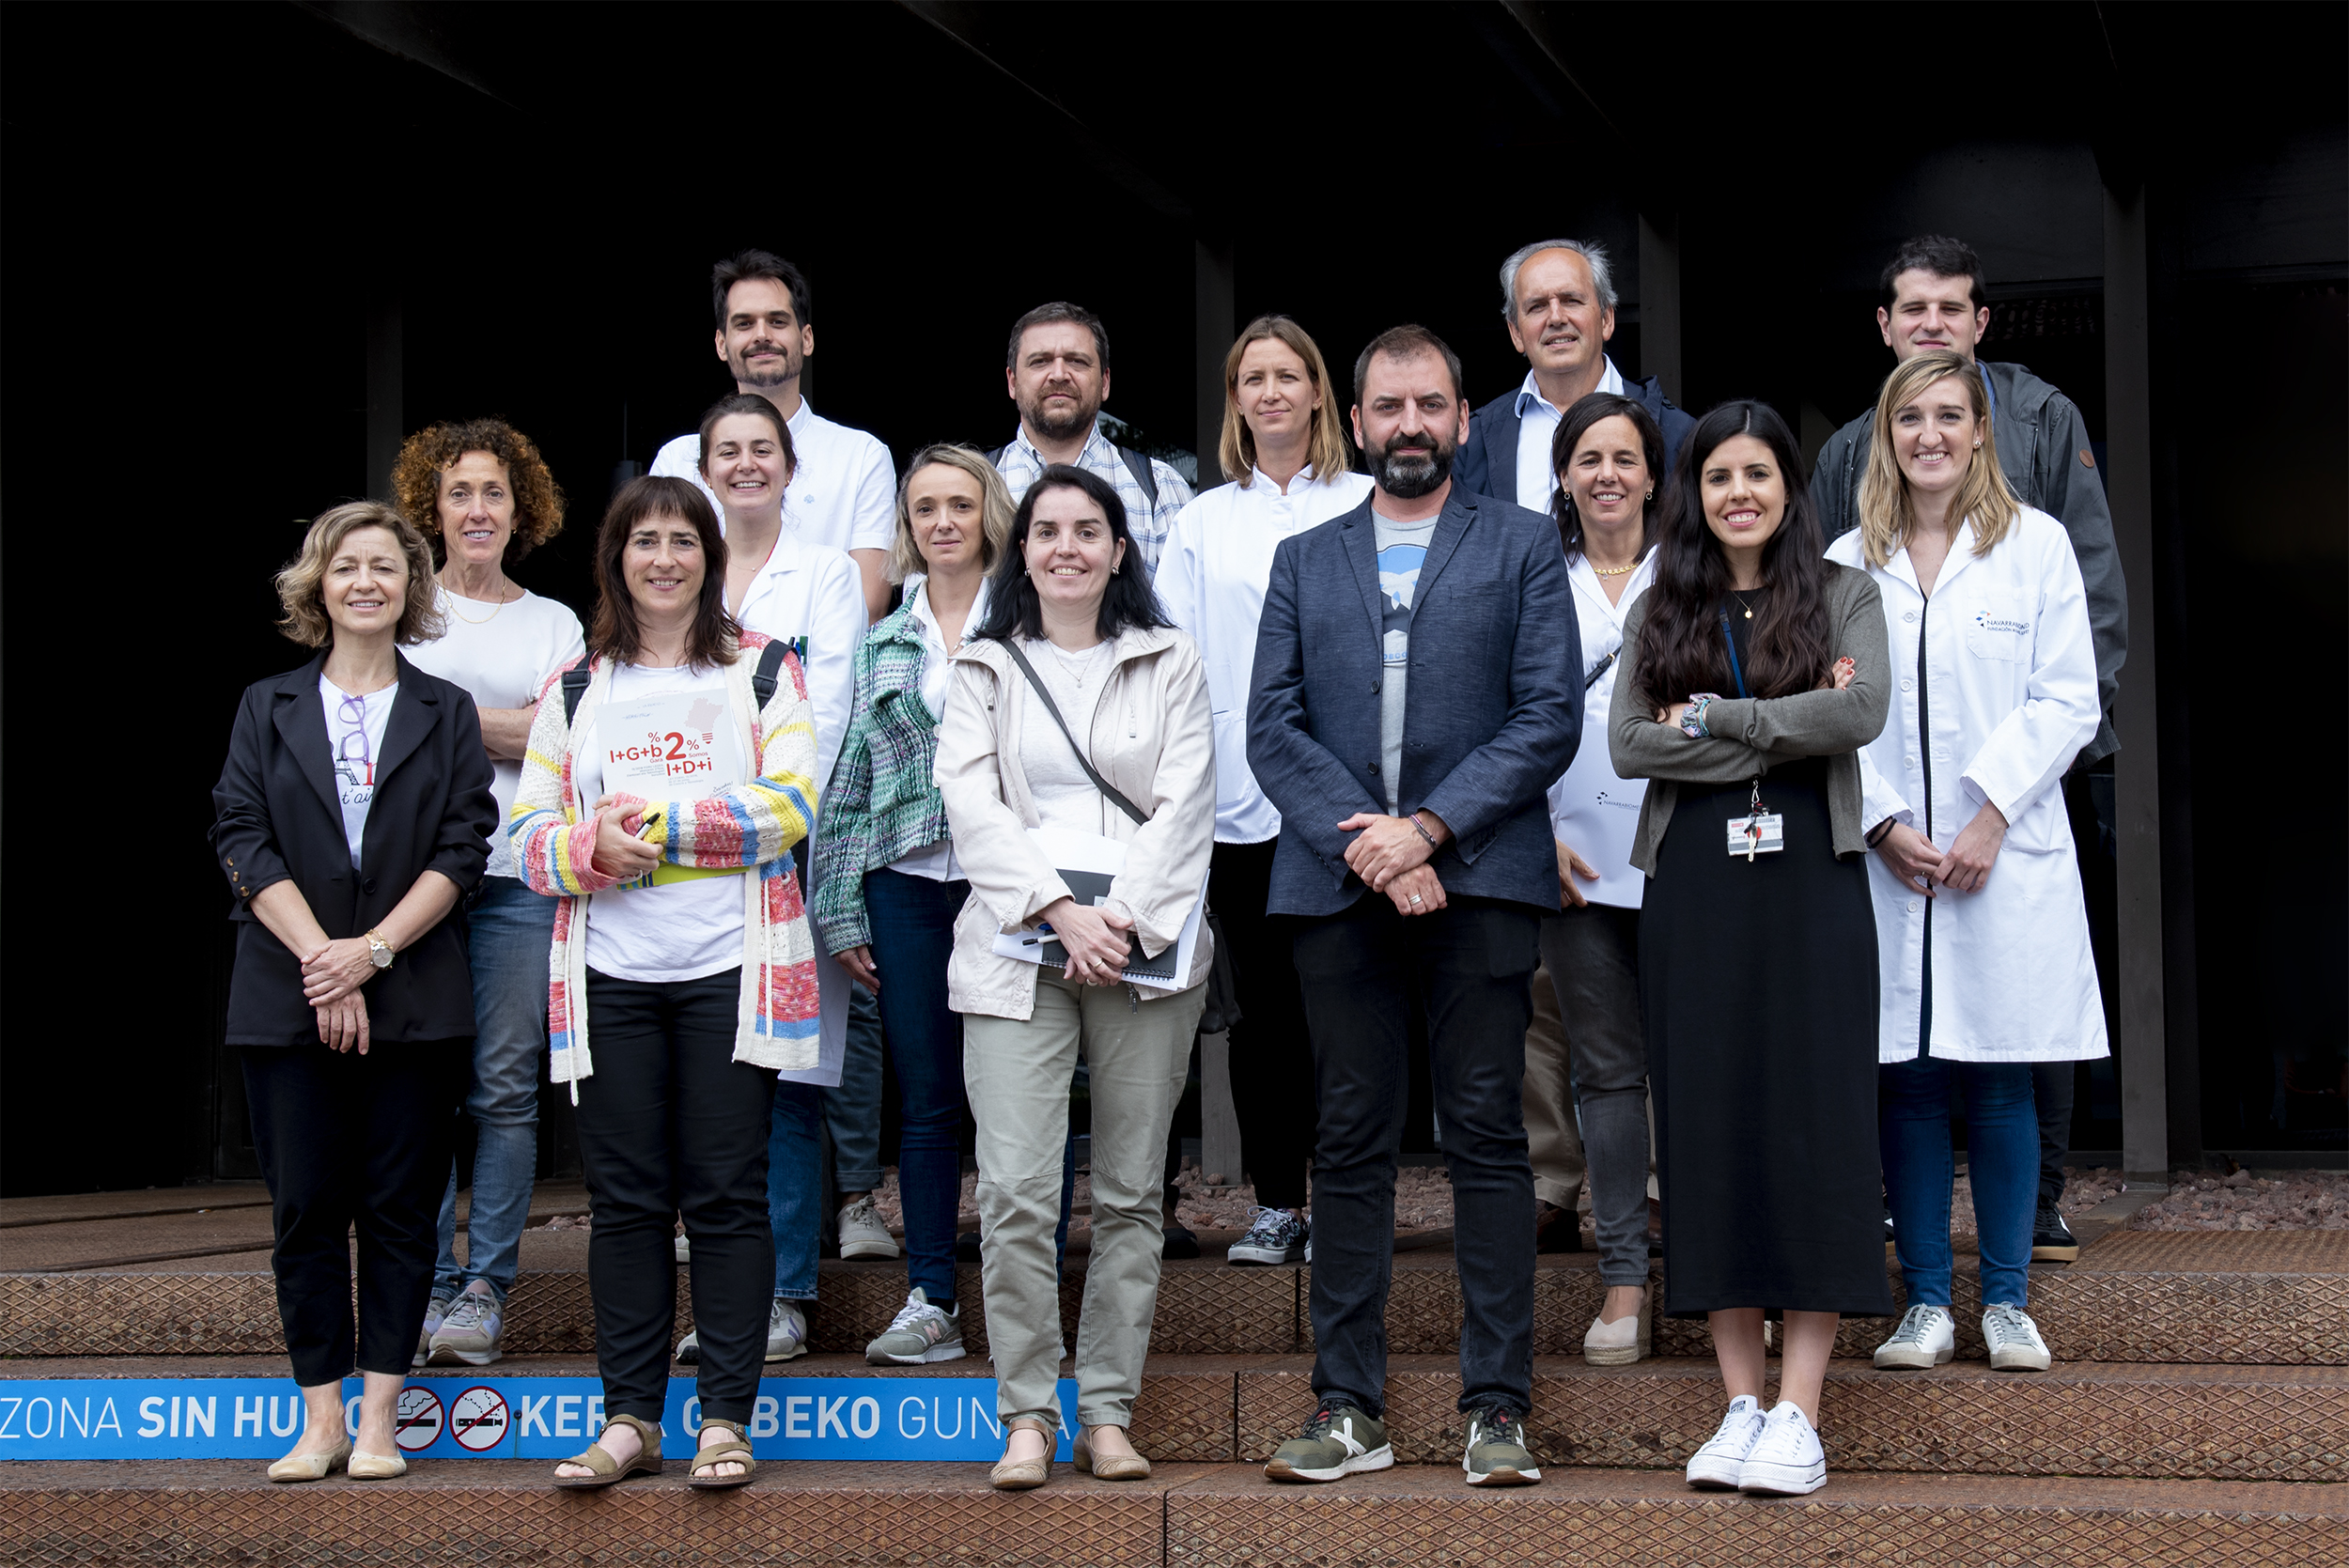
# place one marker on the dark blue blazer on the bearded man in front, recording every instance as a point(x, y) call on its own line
point(1493, 717)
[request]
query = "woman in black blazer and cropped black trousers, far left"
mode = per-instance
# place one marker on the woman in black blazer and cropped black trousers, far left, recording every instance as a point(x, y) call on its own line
point(351, 818)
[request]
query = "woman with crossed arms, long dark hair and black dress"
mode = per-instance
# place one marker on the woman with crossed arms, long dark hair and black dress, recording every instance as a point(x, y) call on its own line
point(1756, 673)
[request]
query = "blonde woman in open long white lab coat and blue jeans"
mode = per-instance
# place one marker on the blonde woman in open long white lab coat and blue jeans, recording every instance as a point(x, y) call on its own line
point(1981, 928)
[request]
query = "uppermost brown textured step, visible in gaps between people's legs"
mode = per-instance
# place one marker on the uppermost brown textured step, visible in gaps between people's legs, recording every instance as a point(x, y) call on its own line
point(2247, 1299)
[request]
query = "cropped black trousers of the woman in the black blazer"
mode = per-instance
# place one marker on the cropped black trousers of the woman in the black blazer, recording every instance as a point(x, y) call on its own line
point(356, 1142)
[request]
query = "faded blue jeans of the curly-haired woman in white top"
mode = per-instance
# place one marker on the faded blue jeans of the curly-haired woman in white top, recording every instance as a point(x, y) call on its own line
point(513, 933)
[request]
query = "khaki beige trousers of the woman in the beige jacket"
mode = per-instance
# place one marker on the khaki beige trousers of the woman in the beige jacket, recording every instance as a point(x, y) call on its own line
point(1018, 1076)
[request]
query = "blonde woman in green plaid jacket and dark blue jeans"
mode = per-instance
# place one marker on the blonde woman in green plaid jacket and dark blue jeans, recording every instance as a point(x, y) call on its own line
point(889, 888)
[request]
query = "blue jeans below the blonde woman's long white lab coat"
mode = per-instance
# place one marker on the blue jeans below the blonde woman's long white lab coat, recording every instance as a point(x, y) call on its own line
point(2003, 1158)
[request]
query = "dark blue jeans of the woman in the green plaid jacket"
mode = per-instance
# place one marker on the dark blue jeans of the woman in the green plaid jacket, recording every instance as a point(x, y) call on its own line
point(913, 924)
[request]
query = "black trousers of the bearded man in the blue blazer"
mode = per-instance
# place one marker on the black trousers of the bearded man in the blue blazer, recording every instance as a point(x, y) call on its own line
point(1474, 968)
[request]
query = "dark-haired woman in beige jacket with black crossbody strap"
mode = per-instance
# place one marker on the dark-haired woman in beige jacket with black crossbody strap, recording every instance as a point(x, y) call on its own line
point(1075, 647)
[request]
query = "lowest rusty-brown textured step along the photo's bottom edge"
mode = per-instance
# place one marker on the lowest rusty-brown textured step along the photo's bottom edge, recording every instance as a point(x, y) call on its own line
point(1192, 1515)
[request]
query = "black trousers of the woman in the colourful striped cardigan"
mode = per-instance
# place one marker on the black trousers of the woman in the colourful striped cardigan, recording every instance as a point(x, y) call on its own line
point(673, 1126)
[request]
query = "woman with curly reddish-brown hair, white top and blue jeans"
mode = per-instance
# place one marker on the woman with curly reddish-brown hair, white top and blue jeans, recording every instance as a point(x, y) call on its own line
point(485, 499)
